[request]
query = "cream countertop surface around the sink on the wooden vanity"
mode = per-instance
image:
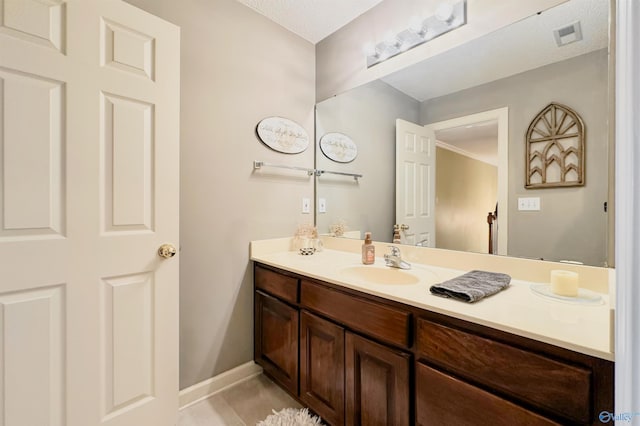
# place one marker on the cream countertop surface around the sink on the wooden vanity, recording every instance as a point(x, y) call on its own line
point(582, 328)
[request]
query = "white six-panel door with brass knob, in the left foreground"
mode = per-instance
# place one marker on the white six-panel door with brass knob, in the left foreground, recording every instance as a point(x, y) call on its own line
point(89, 104)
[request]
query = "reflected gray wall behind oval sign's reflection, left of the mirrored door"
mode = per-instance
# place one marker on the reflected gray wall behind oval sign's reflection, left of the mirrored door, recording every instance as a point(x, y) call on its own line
point(367, 115)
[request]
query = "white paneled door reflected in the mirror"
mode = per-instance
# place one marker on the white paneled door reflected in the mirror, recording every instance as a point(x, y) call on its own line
point(415, 183)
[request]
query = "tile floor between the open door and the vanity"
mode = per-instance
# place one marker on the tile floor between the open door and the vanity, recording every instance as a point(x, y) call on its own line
point(244, 404)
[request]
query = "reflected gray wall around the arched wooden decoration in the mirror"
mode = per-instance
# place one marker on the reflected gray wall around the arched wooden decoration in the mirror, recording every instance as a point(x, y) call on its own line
point(571, 224)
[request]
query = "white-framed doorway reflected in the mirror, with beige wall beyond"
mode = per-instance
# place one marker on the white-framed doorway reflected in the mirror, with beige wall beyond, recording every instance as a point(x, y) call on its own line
point(471, 180)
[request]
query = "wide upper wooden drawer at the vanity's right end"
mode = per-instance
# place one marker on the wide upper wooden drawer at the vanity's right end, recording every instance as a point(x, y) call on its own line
point(555, 386)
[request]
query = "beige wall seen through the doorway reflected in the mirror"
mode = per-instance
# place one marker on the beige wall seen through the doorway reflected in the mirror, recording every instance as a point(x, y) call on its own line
point(466, 191)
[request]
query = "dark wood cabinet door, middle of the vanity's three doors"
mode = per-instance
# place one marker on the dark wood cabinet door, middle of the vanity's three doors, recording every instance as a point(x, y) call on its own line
point(322, 367)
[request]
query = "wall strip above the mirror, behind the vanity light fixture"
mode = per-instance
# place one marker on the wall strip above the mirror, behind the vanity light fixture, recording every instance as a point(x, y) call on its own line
point(340, 61)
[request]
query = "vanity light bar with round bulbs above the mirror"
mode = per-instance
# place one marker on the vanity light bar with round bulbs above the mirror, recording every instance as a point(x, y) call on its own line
point(447, 17)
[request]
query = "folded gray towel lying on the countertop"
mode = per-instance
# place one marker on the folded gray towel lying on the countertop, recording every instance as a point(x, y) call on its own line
point(472, 286)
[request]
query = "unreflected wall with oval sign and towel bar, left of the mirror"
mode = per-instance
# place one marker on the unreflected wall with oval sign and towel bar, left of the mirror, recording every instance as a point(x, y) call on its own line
point(237, 68)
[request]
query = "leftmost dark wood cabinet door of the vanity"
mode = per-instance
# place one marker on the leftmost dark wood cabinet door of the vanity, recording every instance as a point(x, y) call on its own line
point(276, 340)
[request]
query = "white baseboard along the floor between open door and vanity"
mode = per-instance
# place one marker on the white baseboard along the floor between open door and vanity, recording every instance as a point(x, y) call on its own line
point(209, 387)
